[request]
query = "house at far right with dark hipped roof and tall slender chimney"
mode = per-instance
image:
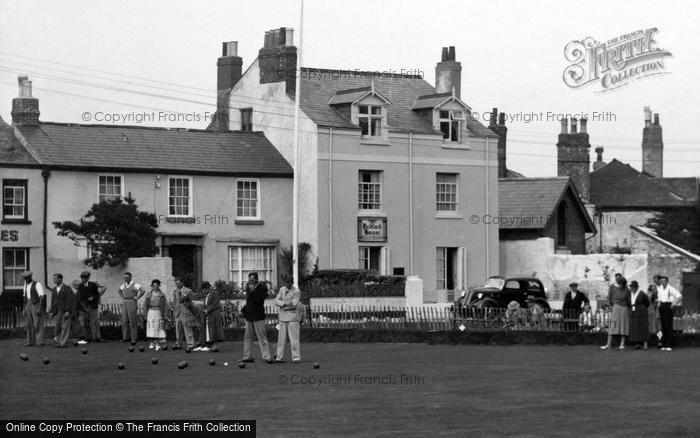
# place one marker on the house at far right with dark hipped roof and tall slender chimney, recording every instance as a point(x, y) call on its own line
point(623, 196)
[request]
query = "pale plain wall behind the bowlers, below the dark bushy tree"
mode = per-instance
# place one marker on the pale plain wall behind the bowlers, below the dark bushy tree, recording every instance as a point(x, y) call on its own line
point(143, 269)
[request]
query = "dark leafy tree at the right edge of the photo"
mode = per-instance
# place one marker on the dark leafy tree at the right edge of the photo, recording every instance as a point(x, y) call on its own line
point(679, 226)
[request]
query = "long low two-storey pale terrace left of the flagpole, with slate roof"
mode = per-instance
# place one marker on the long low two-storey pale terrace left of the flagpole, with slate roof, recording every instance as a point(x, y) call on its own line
point(222, 199)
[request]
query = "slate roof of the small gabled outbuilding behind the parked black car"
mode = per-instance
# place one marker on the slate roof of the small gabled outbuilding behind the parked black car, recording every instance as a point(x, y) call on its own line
point(529, 203)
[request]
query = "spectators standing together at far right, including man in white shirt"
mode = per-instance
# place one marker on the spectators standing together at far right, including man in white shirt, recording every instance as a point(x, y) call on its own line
point(633, 314)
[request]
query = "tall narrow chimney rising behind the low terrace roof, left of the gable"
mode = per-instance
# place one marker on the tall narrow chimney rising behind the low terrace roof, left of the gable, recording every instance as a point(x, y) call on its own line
point(229, 72)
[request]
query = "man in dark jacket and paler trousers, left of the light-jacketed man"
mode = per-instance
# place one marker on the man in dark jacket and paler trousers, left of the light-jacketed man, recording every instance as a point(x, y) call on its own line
point(254, 313)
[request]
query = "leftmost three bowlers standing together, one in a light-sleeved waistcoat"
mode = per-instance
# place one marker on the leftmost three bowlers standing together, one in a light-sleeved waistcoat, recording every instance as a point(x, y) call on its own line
point(73, 309)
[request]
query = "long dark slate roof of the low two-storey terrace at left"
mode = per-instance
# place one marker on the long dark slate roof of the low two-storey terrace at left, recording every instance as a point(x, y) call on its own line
point(130, 148)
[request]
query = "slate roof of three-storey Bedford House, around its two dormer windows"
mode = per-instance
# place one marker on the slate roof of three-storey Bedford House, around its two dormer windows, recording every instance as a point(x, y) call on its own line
point(319, 86)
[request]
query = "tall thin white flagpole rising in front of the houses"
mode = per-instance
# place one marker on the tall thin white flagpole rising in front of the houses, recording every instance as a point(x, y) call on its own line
point(297, 161)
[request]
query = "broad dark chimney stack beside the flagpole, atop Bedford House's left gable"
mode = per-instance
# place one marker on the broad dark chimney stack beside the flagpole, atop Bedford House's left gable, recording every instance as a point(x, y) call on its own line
point(278, 58)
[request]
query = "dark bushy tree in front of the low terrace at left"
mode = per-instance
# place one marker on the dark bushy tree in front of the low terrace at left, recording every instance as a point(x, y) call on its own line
point(115, 231)
